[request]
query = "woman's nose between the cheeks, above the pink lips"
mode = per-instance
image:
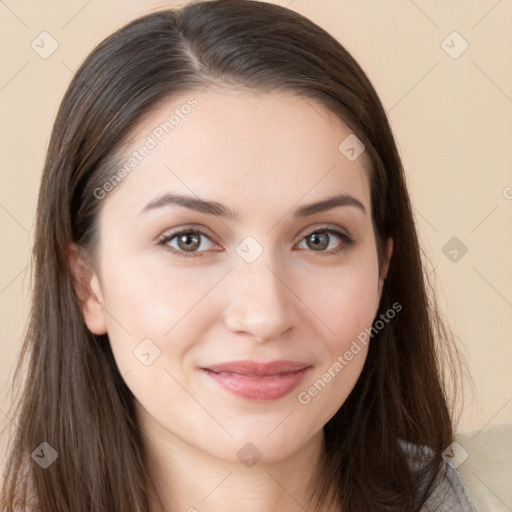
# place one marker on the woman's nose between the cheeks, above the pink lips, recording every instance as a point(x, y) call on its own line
point(260, 302)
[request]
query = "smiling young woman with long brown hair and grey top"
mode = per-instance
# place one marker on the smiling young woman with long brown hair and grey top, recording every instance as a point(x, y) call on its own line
point(230, 309)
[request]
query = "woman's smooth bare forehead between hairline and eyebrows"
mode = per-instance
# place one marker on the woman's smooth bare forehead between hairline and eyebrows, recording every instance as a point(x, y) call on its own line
point(242, 147)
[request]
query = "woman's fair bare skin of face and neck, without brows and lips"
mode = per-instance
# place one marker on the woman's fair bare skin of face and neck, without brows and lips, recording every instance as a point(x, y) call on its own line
point(263, 155)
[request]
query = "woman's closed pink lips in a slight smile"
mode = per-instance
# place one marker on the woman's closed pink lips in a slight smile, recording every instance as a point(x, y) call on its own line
point(259, 381)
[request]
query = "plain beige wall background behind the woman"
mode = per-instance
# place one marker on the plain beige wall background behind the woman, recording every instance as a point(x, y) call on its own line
point(452, 118)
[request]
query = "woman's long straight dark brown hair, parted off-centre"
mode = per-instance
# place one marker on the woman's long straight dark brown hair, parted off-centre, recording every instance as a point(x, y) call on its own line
point(74, 397)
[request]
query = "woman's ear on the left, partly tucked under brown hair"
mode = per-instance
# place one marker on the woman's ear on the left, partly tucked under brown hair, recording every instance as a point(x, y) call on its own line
point(88, 290)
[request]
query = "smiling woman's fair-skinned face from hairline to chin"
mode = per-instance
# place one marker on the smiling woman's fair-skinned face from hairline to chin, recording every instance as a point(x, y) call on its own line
point(218, 246)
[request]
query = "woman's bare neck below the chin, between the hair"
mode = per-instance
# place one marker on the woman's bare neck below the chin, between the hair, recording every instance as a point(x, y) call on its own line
point(188, 479)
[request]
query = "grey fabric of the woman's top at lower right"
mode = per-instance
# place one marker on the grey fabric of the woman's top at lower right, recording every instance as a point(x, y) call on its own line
point(450, 493)
